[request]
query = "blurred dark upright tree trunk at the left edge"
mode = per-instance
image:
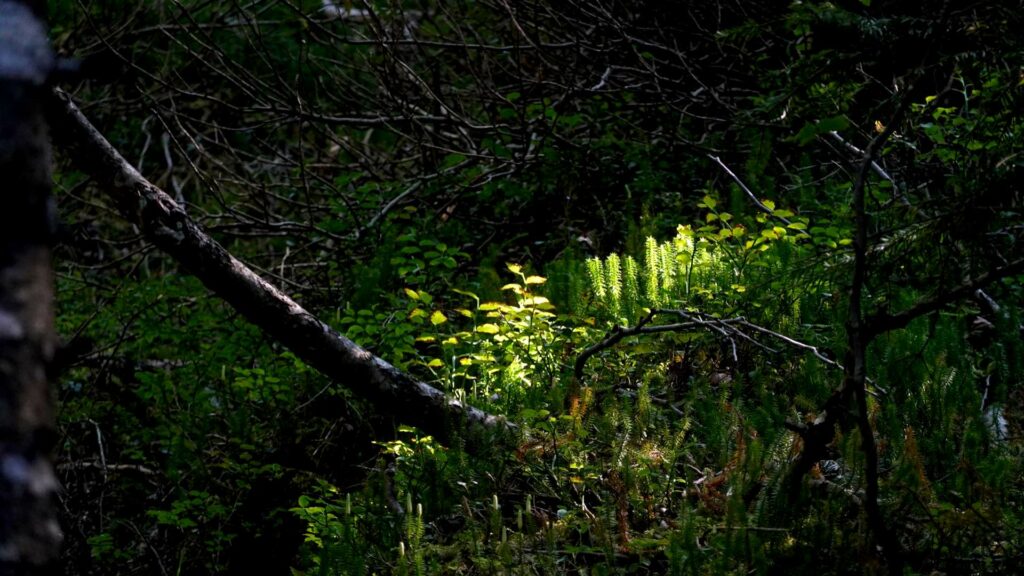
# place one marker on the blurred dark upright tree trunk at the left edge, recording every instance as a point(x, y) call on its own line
point(30, 536)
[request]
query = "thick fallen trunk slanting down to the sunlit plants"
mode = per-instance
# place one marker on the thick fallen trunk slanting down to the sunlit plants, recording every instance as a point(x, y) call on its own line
point(166, 225)
